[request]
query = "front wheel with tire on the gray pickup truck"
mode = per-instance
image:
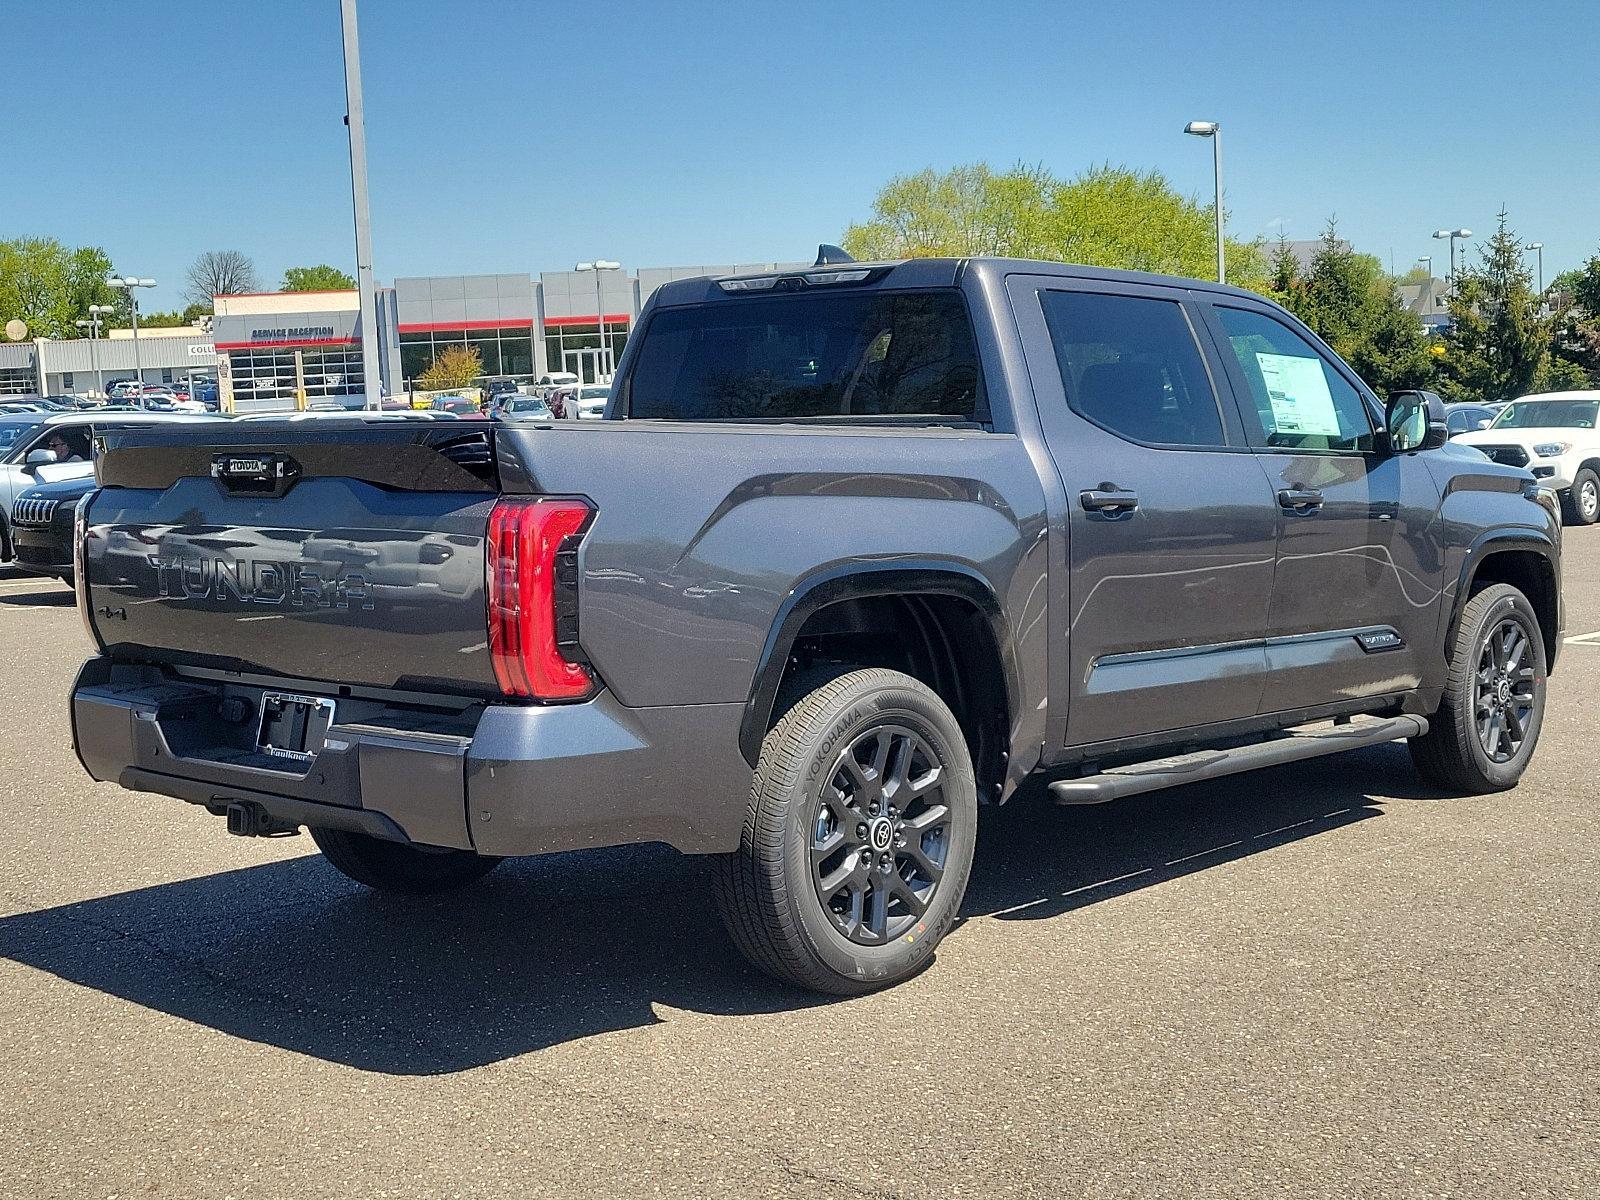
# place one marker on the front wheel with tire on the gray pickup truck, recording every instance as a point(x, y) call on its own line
point(1487, 726)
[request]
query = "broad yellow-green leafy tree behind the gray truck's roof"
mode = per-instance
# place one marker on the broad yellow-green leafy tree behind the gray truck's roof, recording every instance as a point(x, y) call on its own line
point(1108, 217)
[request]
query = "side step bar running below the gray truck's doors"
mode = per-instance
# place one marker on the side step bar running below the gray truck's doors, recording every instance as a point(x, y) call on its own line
point(1186, 769)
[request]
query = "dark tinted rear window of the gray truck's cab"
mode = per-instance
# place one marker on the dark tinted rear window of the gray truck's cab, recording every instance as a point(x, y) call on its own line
point(854, 354)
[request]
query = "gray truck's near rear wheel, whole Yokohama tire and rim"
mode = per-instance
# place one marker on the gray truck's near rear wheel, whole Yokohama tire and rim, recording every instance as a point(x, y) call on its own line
point(858, 839)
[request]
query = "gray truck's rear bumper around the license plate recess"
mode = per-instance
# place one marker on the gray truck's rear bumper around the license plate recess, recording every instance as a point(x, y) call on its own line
point(498, 778)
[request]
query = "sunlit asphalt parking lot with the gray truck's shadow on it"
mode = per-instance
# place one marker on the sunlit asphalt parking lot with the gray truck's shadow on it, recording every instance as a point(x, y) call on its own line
point(1324, 980)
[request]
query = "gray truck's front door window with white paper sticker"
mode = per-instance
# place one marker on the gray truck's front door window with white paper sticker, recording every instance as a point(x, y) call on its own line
point(1298, 399)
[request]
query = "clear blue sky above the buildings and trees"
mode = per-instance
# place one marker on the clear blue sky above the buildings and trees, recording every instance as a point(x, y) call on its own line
point(526, 137)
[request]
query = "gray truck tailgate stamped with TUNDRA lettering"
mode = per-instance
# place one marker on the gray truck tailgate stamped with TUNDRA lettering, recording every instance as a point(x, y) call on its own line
point(351, 554)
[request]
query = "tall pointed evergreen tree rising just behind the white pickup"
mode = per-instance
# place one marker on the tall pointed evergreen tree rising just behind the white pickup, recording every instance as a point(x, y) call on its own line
point(1500, 337)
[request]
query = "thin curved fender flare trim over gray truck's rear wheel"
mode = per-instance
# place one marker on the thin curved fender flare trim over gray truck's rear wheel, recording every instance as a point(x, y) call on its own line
point(854, 582)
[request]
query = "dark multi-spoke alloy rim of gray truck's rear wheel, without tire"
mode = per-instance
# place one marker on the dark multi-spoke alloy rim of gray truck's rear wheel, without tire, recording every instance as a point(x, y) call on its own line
point(881, 834)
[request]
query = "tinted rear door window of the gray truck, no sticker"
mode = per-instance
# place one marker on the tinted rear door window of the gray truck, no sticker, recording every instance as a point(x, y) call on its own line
point(1130, 366)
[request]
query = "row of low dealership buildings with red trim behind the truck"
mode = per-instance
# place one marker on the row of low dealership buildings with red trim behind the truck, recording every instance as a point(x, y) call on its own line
point(305, 348)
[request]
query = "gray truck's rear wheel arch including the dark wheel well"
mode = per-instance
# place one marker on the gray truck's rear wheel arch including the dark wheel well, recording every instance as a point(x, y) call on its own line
point(929, 599)
